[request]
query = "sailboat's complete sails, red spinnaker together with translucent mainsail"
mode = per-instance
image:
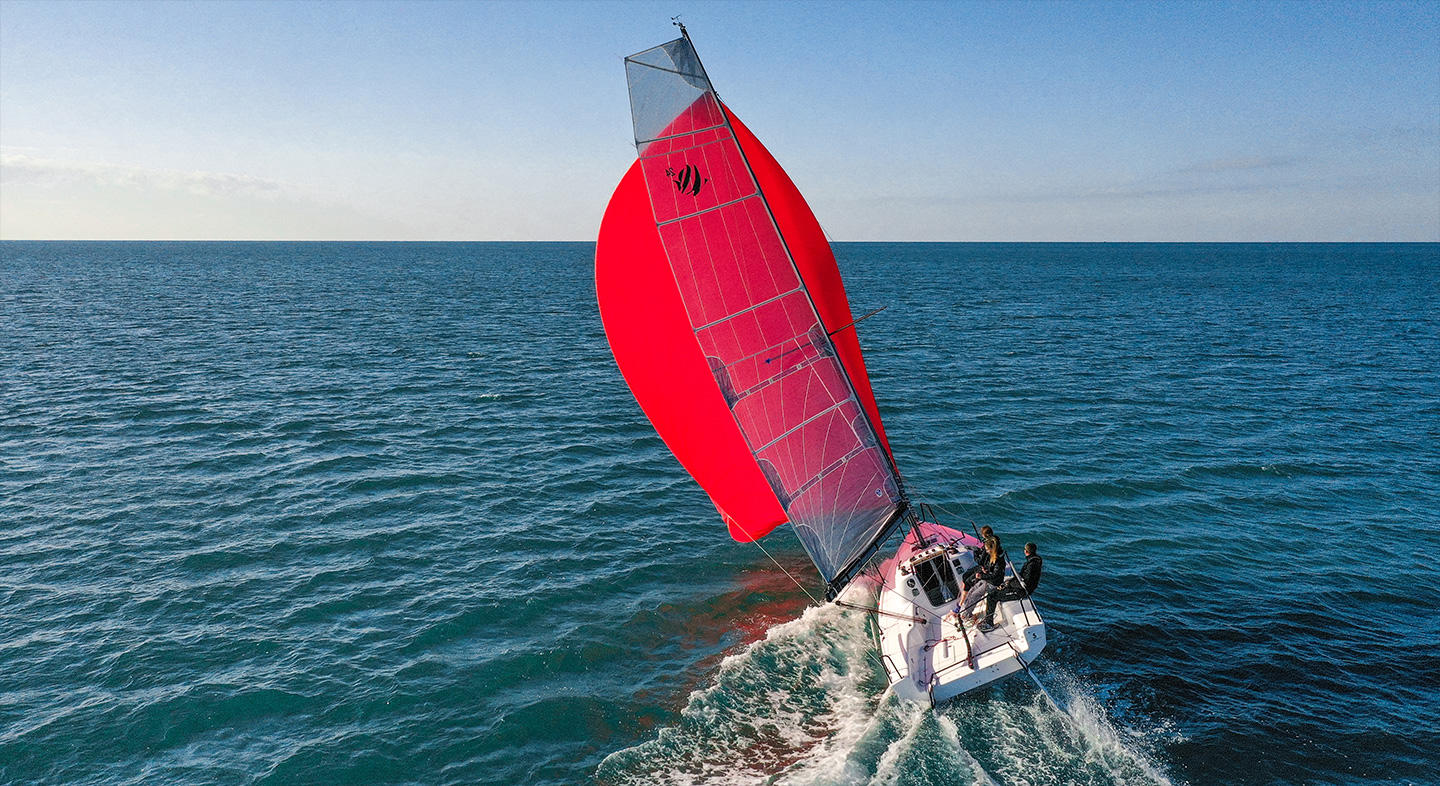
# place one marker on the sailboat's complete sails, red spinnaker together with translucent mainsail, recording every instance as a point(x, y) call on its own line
point(725, 309)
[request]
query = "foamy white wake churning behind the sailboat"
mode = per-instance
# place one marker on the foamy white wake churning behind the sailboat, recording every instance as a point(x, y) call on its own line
point(806, 706)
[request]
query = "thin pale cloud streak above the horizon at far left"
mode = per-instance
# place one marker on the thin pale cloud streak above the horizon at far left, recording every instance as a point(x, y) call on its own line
point(17, 168)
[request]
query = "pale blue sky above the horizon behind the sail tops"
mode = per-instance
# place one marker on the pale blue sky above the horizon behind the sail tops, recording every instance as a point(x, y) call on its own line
point(899, 122)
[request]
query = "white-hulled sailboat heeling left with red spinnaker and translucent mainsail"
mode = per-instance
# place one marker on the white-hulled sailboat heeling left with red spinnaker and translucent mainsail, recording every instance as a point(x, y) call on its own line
point(725, 310)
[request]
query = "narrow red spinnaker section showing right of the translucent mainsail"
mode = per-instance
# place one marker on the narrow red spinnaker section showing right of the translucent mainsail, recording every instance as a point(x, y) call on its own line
point(814, 260)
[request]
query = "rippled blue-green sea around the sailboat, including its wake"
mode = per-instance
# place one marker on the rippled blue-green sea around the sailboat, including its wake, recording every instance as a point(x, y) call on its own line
point(385, 513)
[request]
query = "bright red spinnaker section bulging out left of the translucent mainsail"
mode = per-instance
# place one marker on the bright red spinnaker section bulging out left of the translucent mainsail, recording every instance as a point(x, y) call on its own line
point(656, 351)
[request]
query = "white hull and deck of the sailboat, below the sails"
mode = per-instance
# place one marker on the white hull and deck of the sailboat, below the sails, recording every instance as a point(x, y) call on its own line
point(930, 656)
